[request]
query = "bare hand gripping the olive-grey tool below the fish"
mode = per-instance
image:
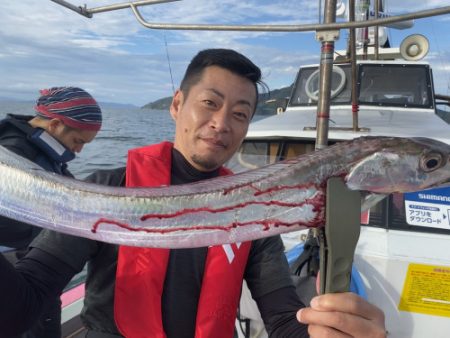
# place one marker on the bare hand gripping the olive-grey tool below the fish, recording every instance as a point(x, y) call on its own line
point(337, 315)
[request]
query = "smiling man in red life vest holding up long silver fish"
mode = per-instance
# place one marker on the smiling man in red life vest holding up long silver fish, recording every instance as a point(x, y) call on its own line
point(156, 293)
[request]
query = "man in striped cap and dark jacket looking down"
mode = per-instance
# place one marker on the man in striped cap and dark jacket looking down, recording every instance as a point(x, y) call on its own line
point(67, 118)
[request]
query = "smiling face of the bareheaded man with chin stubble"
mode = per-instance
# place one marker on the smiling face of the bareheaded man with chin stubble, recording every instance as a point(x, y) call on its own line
point(212, 121)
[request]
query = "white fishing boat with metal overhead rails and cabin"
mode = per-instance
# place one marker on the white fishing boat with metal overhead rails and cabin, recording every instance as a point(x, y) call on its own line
point(401, 258)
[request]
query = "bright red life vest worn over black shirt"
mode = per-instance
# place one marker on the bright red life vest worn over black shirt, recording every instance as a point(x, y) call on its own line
point(141, 271)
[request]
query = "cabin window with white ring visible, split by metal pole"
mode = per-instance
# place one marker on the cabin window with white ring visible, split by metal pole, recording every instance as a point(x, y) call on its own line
point(306, 88)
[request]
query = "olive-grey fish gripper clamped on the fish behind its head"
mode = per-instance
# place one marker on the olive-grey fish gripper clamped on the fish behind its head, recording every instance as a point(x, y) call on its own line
point(339, 237)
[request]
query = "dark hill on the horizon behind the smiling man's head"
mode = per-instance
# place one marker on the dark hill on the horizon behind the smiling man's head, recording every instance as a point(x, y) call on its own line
point(267, 104)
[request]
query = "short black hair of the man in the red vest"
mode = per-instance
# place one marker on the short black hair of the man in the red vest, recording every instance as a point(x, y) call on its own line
point(224, 58)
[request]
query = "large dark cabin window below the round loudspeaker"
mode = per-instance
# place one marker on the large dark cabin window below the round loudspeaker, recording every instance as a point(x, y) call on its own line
point(395, 85)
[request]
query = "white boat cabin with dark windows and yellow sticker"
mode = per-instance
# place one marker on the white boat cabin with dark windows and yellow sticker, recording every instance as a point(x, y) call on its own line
point(402, 254)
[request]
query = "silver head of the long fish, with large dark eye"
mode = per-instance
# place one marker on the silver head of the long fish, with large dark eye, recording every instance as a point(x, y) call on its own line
point(399, 165)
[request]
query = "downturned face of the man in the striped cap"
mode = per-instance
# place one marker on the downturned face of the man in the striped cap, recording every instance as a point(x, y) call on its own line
point(73, 139)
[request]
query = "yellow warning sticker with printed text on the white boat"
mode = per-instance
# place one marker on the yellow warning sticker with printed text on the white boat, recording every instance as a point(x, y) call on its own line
point(426, 290)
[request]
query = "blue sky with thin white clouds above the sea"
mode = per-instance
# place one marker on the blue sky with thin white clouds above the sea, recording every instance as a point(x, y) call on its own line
point(118, 60)
